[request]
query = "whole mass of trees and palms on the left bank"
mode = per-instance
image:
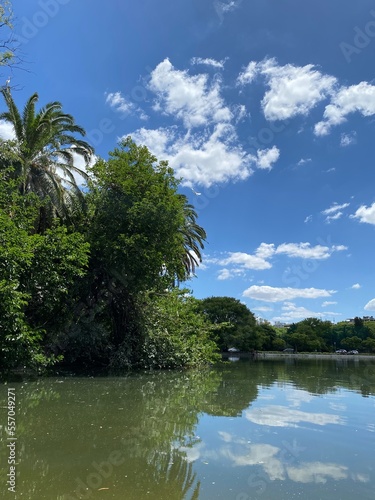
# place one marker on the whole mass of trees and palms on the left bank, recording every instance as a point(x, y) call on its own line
point(87, 276)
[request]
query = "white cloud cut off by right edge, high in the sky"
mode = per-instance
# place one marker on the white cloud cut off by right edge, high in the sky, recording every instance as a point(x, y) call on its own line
point(356, 98)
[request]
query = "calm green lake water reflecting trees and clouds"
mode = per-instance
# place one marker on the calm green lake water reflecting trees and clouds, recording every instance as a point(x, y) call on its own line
point(245, 430)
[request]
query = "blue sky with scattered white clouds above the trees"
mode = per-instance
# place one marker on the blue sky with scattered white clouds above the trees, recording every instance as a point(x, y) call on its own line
point(264, 108)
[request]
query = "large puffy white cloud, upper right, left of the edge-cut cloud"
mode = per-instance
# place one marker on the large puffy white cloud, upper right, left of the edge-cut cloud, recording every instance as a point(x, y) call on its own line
point(293, 90)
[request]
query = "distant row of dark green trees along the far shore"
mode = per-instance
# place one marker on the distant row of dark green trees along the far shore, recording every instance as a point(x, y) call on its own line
point(241, 330)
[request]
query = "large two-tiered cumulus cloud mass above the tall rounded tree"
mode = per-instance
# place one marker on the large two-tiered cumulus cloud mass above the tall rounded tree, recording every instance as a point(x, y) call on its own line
point(207, 150)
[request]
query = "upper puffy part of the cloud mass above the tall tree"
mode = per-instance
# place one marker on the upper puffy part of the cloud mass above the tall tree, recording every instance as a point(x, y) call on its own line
point(190, 98)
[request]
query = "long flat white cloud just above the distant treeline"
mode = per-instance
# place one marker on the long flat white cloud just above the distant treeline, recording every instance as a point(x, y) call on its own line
point(276, 294)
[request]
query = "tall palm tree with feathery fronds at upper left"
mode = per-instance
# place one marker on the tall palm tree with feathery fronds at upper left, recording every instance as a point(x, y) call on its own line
point(45, 147)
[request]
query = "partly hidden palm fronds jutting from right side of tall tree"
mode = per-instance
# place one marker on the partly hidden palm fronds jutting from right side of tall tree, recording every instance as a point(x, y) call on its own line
point(193, 238)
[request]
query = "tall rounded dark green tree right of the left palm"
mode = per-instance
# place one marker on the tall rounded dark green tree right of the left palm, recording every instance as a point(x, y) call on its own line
point(138, 232)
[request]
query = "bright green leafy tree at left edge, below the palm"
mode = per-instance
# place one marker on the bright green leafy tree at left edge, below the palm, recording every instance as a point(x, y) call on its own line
point(36, 273)
